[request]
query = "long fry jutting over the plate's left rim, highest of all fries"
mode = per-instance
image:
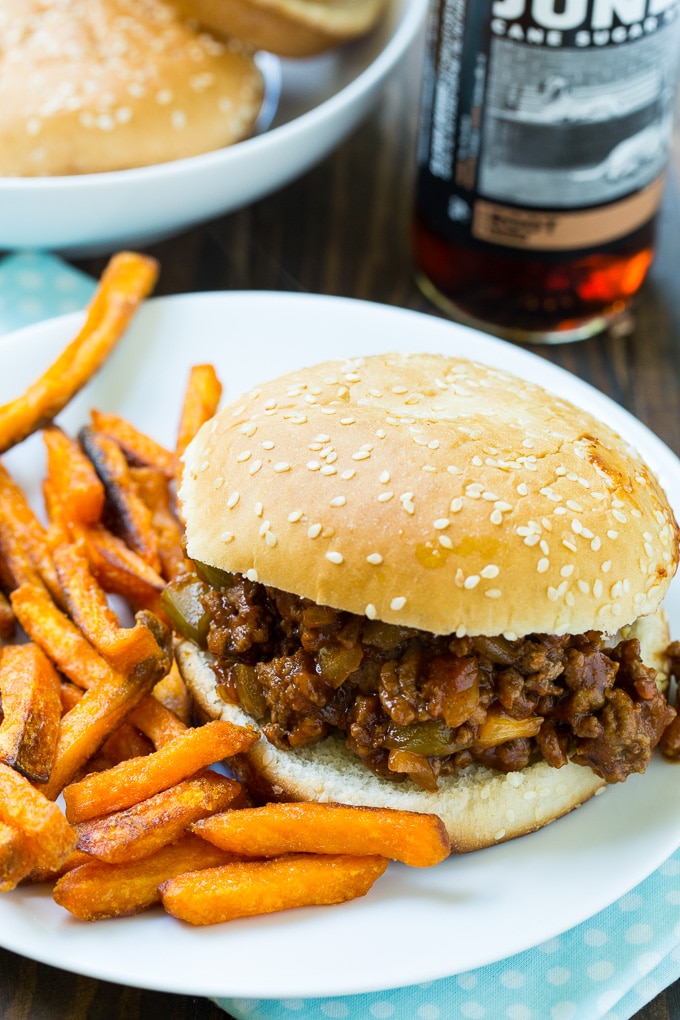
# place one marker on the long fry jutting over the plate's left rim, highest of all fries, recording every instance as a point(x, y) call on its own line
point(128, 279)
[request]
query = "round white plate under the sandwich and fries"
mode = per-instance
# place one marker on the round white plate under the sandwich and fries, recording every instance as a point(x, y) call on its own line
point(467, 912)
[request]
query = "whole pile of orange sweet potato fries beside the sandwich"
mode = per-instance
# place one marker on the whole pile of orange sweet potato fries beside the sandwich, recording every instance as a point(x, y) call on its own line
point(95, 715)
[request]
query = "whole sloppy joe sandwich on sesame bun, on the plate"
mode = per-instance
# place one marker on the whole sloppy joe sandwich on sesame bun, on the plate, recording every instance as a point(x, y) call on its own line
point(431, 585)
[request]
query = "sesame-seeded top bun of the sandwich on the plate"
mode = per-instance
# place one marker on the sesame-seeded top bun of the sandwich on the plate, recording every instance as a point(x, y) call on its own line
point(435, 493)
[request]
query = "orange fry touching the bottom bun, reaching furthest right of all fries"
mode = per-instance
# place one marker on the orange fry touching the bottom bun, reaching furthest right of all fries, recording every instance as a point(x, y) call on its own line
point(417, 840)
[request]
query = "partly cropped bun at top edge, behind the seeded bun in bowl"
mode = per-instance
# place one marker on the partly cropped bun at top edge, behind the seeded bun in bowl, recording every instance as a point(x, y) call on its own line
point(288, 28)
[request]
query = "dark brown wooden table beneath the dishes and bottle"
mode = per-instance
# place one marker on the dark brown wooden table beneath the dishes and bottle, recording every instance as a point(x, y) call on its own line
point(344, 230)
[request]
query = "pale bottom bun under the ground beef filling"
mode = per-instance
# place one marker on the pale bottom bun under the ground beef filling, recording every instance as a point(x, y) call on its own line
point(480, 806)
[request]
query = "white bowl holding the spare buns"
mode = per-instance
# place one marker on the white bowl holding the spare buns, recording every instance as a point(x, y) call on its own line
point(322, 100)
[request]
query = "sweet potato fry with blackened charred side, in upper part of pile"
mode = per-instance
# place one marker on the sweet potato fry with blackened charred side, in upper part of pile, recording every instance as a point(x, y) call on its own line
point(131, 519)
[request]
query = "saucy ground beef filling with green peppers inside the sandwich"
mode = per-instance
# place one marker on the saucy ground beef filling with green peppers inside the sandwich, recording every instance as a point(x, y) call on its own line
point(414, 704)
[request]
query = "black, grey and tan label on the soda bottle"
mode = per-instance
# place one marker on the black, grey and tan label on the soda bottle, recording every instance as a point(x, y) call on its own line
point(547, 124)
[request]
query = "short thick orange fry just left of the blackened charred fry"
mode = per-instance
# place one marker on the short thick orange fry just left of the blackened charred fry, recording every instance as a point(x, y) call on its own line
point(75, 494)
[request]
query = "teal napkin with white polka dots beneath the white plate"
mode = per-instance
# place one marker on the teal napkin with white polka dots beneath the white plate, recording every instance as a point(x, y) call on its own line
point(605, 970)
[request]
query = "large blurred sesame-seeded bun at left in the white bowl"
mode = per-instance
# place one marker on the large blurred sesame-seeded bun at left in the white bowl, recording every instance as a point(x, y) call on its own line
point(91, 86)
